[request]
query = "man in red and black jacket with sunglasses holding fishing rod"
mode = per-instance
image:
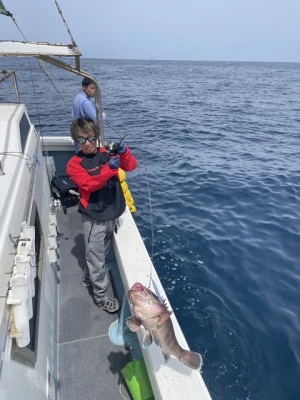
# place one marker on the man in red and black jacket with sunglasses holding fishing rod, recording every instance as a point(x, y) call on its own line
point(95, 173)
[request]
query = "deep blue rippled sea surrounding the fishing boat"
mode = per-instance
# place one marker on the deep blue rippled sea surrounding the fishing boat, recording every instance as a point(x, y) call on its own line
point(218, 201)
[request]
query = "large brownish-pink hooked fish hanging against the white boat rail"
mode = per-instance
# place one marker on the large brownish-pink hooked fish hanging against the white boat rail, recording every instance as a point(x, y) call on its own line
point(155, 317)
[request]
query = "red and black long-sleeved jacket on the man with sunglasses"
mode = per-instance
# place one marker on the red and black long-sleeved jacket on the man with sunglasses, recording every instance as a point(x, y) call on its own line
point(101, 195)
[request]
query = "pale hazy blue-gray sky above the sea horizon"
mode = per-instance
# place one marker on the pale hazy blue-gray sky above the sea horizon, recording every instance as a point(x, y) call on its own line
point(212, 30)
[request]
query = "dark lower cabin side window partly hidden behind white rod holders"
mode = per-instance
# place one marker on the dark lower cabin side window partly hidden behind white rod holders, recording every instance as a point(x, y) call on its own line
point(28, 355)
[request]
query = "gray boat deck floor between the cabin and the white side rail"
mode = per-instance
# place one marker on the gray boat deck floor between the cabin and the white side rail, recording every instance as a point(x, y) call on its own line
point(89, 364)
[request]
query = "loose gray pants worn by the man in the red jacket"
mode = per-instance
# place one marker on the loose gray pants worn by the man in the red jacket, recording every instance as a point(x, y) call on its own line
point(97, 239)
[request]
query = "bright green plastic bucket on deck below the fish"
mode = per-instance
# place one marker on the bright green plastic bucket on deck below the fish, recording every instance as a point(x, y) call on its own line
point(137, 380)
